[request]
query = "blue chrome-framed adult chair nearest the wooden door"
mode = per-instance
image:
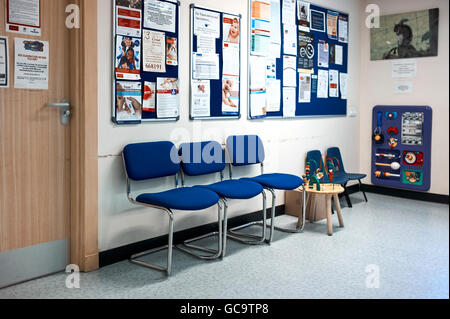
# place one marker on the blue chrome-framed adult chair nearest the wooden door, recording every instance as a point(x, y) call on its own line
point(148, 161)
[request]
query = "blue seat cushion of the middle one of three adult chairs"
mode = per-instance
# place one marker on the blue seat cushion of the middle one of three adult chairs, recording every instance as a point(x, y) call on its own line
point(235, 189)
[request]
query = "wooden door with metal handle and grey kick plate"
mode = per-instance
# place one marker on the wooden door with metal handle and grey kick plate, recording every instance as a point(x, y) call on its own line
point(35, 163)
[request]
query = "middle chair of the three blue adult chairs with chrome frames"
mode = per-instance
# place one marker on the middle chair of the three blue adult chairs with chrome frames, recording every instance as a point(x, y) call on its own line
point(199, 159)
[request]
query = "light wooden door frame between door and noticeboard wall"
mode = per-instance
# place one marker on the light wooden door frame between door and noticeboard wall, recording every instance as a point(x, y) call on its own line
point(84, 139)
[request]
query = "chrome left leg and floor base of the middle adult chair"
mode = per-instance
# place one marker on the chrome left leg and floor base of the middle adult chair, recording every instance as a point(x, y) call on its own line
point(215, 253)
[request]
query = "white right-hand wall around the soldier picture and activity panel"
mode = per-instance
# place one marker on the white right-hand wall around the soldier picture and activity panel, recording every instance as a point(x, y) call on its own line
point(430, 88)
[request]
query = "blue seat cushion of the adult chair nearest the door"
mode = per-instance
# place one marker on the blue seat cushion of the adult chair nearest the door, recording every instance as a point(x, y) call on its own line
point(186, 198)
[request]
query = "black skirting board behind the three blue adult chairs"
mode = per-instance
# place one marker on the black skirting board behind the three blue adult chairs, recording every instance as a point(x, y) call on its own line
point(116, 255)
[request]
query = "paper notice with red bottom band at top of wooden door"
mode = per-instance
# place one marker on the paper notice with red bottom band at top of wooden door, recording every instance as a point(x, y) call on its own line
point(23, 16)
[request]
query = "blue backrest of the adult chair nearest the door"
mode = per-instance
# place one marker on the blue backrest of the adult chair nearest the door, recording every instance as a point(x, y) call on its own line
point(151, 160)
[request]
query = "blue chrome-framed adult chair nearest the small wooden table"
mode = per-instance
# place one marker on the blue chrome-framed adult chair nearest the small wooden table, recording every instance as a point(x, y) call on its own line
point(248, 150)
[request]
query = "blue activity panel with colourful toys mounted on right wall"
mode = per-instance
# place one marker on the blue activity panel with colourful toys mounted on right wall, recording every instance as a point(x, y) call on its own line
point(401, 147)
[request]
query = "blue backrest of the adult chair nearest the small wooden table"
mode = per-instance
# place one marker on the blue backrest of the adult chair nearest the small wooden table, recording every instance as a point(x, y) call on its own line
point(245, 150)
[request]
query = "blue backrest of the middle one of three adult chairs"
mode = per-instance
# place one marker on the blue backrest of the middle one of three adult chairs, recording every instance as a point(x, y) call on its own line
point(202, 158)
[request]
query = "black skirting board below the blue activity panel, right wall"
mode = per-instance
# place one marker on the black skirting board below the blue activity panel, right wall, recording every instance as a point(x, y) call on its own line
point(402, 193)
